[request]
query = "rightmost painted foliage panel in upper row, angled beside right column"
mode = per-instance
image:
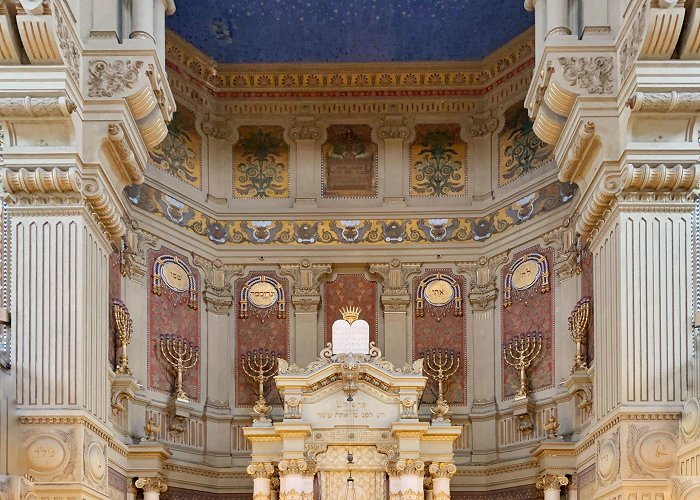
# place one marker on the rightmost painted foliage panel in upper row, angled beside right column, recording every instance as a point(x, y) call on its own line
point(520, 151)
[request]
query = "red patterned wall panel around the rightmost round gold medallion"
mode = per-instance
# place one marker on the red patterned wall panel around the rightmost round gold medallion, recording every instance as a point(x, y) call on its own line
point(531, 311)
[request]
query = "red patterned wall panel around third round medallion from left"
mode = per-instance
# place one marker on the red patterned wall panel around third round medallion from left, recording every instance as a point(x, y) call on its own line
point(442, 329)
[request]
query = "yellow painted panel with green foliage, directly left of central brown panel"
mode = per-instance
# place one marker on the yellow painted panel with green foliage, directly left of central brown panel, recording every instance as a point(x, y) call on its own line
point(261, 163)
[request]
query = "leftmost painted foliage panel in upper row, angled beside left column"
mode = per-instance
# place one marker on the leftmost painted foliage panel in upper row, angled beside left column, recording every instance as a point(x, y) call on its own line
point(180, 153)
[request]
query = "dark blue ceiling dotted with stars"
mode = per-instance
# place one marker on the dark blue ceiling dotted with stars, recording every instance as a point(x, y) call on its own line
point(279, 31)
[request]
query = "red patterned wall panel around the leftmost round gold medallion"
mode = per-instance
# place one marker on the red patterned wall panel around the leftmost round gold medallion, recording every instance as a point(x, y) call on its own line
point(167, 315)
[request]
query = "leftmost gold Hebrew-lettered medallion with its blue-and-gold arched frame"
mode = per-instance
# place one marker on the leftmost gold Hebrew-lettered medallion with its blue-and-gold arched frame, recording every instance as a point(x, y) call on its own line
point(176, 275)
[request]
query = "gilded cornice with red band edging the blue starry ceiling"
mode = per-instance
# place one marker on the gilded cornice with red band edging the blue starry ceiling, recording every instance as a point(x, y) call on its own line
point(261, 81)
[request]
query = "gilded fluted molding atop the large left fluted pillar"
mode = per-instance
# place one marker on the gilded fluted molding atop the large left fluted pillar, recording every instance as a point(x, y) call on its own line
point(65, 181)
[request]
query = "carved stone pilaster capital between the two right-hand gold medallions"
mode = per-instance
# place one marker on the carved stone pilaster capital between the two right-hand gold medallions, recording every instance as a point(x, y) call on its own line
point(483, 280)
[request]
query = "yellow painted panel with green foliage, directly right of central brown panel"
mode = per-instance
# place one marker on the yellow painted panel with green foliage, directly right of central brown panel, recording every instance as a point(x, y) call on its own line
point(438, 161)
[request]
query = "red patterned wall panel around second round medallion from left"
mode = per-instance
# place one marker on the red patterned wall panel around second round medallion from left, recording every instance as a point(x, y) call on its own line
point(259, 332)
